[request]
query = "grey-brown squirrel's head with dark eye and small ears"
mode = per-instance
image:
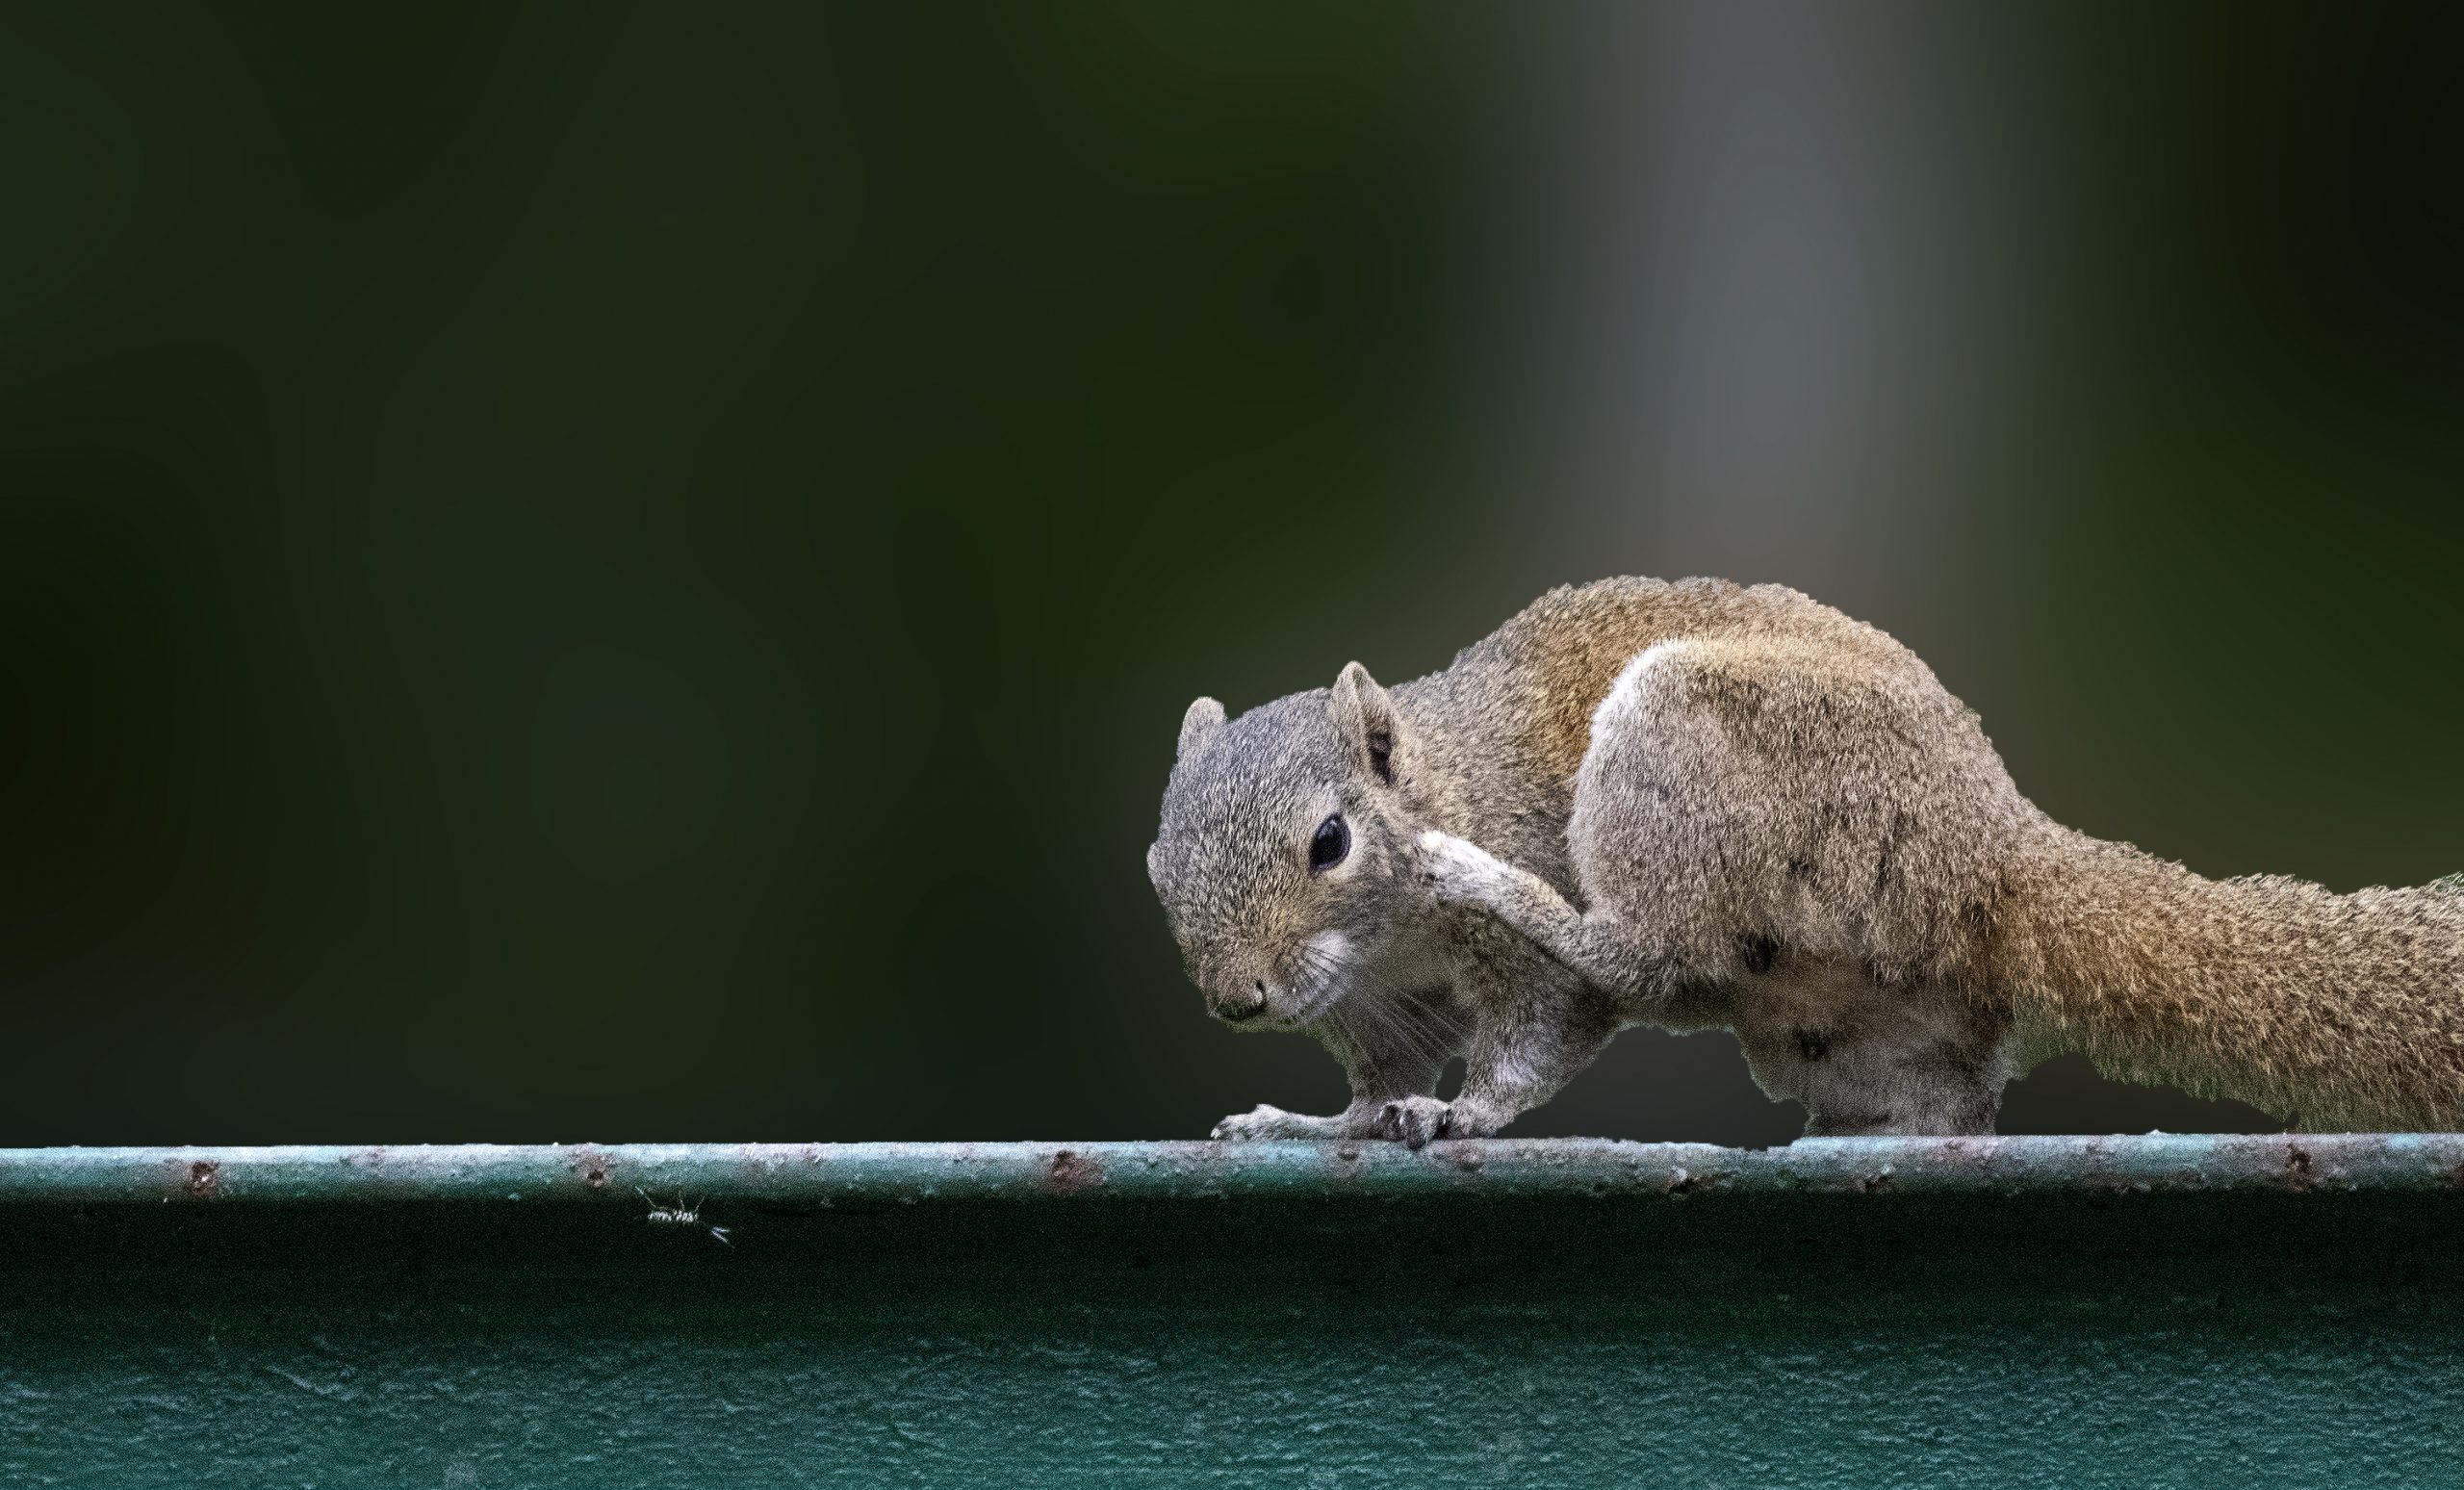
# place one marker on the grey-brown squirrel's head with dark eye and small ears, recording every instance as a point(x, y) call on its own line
point(1285, 851)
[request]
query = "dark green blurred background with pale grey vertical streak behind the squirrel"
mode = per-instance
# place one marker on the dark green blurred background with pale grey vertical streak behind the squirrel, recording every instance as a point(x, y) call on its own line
point(593, 573)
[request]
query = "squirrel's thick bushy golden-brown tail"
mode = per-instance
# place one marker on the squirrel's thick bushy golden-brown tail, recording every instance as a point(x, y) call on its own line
point(2340, 1011)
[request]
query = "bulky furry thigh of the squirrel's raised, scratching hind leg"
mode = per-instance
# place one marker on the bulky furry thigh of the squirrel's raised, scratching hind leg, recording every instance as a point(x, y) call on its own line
point(1822, 797)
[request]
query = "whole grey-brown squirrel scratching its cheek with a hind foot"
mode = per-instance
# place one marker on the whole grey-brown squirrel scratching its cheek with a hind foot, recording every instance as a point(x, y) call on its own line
point(1694, 804)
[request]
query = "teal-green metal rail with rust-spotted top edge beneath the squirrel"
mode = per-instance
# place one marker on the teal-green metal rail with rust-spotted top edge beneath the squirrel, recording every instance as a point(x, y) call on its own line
point(2007, 1311)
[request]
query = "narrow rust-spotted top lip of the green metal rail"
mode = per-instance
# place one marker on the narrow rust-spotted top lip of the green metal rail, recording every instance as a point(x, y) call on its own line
point(910, 1174)
